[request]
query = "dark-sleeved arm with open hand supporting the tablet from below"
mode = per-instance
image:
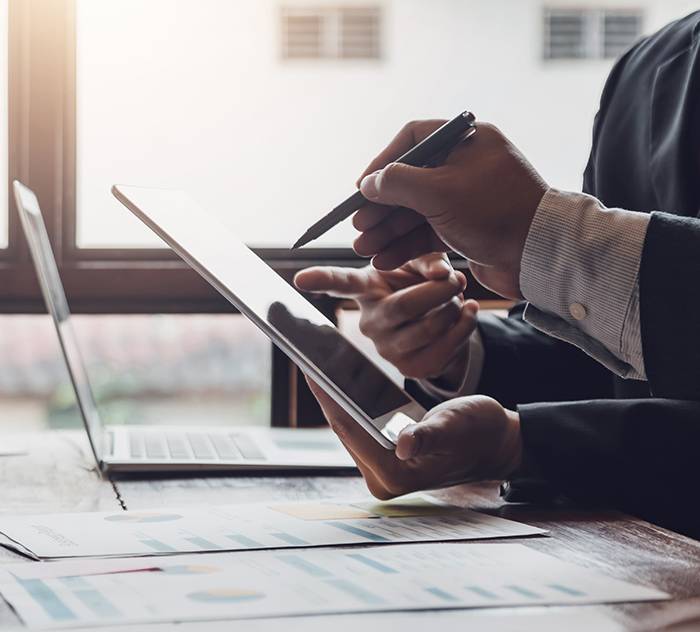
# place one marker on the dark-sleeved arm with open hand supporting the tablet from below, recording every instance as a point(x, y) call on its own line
point(635, 455)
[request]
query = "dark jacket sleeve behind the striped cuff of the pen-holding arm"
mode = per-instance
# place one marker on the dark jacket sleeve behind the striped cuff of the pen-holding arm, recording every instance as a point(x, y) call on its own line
point(669, 305)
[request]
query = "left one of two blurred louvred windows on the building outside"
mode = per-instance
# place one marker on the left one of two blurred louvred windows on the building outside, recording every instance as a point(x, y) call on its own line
point(331, 33)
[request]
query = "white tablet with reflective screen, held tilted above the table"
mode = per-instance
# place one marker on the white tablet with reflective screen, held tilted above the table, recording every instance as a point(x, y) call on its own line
point(312, 341)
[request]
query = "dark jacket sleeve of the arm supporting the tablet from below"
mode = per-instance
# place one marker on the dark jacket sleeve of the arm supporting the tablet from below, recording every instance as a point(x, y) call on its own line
point(637, 455)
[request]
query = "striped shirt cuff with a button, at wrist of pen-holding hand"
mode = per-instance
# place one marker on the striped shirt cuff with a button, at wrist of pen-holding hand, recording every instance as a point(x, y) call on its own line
point(579, 273)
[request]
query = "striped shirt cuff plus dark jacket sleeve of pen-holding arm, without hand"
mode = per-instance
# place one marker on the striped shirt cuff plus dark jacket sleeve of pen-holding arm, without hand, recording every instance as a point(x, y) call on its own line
point(631, 277)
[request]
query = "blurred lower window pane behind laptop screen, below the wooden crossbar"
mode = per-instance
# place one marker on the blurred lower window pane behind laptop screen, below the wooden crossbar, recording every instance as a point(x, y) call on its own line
point(155, 369)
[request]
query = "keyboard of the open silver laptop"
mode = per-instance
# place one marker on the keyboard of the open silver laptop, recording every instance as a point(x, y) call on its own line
point(193, 445)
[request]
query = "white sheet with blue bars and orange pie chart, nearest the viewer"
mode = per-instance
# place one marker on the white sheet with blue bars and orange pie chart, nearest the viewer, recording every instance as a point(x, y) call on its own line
point(310, 581)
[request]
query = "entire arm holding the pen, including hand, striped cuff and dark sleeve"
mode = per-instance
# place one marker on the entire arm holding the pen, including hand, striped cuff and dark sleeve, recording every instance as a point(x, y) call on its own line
point(576, 261)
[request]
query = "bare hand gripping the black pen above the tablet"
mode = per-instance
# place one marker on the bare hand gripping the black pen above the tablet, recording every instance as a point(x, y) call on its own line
point(480, 203)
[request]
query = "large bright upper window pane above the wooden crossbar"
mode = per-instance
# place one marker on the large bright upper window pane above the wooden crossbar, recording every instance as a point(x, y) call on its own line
point(270, 132)
